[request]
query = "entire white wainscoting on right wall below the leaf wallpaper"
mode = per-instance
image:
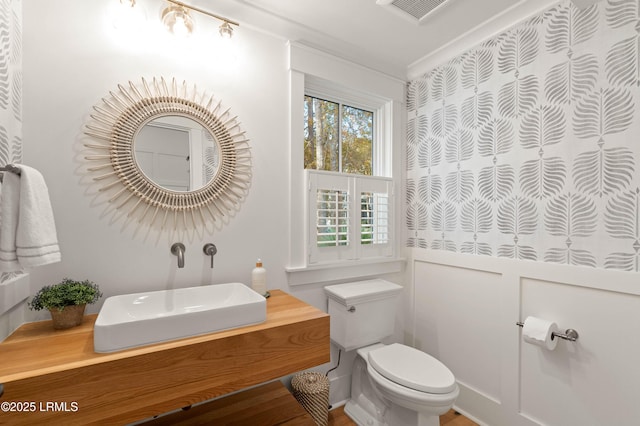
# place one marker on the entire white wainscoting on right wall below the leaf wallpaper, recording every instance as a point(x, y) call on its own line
point(465, 314)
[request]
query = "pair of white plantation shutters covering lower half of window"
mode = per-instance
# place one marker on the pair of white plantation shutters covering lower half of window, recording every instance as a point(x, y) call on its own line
point(349, 216)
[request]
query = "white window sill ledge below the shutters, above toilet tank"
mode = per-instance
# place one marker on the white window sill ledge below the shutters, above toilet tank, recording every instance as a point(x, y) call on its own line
point(327, 272)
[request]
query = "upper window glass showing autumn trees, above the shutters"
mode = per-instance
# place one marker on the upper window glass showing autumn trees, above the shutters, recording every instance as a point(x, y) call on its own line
point(337, 137)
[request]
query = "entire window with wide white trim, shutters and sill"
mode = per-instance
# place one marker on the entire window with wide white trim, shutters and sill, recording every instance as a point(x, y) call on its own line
point(343, 218)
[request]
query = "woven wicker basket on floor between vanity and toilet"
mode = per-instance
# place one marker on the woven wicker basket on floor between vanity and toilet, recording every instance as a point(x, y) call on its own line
point(312, 392)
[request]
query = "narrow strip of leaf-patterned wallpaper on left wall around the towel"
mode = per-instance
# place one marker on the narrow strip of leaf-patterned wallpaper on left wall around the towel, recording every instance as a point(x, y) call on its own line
point(10, 88)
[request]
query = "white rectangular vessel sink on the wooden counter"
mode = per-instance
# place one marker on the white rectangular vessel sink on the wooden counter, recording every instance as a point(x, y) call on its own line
point(139, 319)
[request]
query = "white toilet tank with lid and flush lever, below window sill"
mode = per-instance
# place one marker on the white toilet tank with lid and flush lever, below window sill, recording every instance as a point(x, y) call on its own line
point(362, 312)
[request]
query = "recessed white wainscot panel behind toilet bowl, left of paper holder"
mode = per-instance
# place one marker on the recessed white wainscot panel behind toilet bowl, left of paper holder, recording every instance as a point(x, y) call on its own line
point(458, 320)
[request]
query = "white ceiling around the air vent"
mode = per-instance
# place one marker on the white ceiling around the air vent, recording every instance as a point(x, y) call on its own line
point(379, 37)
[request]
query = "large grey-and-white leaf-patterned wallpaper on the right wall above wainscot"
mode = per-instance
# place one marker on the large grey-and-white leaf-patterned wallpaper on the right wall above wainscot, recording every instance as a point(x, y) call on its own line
point(528, 145)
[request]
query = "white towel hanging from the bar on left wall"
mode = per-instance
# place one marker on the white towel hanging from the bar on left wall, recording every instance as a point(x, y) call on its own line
point(36, 241)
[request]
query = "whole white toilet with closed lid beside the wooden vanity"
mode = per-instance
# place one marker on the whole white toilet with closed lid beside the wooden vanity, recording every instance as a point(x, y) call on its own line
point(391, 384)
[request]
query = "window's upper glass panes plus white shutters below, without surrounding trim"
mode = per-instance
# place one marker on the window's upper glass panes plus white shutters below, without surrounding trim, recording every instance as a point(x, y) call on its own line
point(348, 213)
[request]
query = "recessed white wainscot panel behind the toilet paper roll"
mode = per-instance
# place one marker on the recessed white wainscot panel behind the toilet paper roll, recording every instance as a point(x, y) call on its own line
point(594, 381)
